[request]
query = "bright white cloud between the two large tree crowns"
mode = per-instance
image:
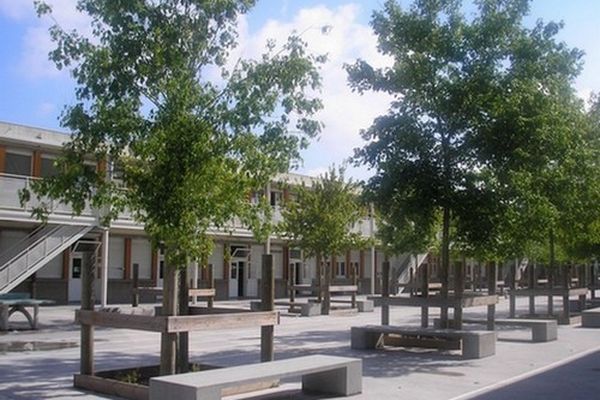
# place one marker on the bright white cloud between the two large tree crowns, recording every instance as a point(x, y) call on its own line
point(345, 113)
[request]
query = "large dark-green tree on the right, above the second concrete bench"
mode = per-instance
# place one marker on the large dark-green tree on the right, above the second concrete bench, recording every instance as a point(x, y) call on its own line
point(469, 94)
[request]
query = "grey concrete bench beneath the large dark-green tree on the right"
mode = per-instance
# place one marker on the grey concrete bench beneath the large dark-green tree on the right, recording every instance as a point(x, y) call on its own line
point(475, 344)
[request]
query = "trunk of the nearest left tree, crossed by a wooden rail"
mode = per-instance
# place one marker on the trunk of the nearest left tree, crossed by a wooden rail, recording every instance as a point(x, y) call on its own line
point(168, 343)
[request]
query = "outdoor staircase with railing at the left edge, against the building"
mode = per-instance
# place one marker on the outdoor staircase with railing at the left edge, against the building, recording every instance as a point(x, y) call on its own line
point(36, 250)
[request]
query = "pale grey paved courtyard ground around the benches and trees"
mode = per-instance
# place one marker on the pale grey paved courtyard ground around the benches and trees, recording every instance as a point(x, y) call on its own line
point(40, 364)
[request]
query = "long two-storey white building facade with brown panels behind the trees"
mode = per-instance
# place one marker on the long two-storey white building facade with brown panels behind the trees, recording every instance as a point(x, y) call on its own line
point(46, 261)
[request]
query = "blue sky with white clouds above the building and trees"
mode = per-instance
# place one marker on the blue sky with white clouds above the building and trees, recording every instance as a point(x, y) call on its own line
point(33, 92)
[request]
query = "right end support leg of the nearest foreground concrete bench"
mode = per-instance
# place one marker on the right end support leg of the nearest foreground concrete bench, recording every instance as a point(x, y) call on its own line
point(344, 381)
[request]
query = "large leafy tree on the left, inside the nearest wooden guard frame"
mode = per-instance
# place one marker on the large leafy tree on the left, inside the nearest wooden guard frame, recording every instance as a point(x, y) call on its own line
point(189, 151)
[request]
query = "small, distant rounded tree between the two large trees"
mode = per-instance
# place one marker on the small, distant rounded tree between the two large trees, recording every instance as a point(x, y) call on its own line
point(320, 222)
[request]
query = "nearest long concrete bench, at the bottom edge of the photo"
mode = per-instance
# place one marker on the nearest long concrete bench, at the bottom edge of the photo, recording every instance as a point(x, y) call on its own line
point(326, 374)
